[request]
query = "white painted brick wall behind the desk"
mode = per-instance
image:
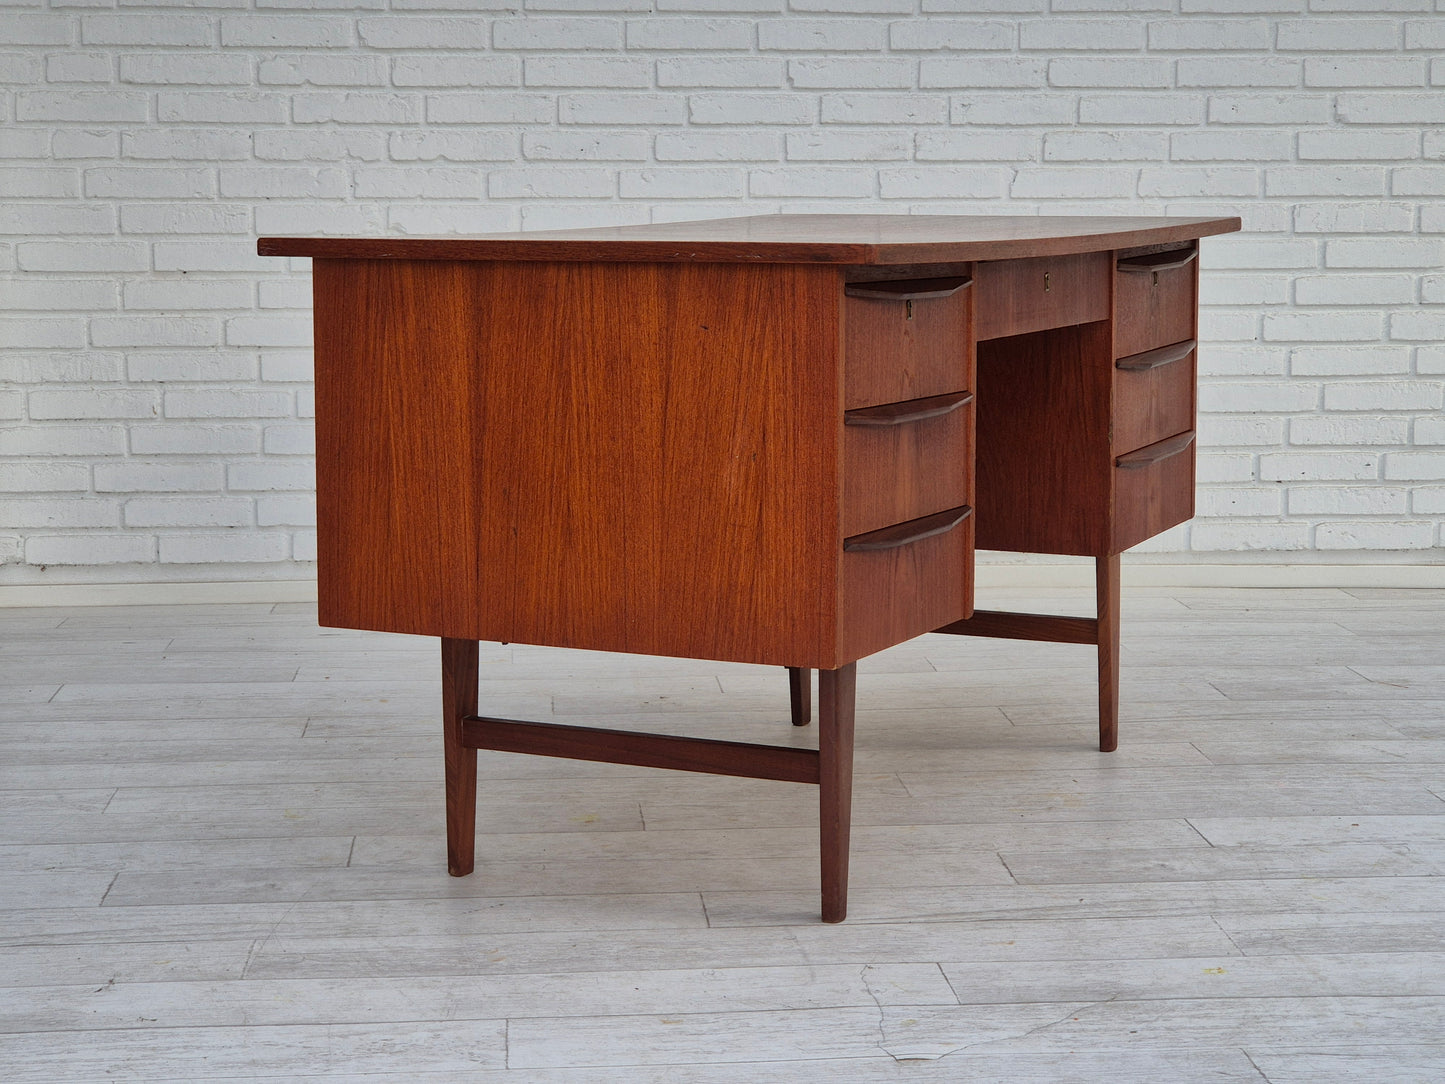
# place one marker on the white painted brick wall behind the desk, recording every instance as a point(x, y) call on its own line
point(155, 394)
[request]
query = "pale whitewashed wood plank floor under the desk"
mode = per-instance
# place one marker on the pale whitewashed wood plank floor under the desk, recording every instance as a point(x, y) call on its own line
point(223, 859)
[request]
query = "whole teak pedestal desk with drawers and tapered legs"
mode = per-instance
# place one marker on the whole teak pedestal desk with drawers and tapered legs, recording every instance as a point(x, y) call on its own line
point(771, 440)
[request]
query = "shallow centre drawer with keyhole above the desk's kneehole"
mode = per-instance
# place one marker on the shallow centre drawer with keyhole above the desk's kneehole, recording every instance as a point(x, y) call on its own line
point(1018, 297)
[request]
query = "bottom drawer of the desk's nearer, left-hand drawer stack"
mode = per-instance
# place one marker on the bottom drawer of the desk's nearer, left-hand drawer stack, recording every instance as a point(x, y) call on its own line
point(895, 589)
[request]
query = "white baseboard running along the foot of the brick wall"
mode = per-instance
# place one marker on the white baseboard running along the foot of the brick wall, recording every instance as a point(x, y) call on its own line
point(1074, 575)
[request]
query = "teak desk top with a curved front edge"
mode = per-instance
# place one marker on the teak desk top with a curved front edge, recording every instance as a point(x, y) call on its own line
point(845, 239)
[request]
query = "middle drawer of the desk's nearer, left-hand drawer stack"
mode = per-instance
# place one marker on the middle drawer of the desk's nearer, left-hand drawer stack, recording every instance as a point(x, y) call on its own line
point(907, 460)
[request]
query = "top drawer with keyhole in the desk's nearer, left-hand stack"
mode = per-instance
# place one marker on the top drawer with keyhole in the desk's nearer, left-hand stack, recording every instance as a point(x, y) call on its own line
point(905, 339)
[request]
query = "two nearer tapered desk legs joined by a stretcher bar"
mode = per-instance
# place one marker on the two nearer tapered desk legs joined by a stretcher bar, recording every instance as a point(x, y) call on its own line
point(830, 767)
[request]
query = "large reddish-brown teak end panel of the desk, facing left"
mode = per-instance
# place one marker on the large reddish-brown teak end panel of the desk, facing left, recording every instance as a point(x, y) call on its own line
point(587, 456)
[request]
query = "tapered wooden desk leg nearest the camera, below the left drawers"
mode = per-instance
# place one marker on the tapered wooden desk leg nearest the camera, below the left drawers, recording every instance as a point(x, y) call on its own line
point(836, 697)
